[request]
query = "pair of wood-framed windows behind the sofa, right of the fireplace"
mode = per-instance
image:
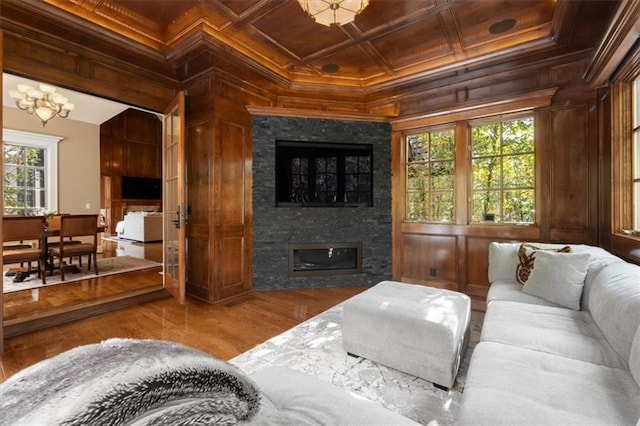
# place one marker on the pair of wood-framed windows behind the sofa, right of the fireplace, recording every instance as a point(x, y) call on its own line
point(500, 173)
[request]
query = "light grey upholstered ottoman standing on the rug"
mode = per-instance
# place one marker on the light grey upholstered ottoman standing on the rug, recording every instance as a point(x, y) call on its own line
point(416, 329)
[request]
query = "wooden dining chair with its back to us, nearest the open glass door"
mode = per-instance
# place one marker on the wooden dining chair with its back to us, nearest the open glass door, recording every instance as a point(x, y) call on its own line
point(83, 225)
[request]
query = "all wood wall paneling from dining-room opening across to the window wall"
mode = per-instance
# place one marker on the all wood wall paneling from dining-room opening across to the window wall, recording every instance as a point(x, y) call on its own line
point(572, 200)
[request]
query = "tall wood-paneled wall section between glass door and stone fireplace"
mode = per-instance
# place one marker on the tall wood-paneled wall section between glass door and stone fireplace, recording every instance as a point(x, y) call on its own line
point(219, 188)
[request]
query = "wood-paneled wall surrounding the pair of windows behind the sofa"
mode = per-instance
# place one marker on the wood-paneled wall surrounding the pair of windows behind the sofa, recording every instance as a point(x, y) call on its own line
point(454, 256)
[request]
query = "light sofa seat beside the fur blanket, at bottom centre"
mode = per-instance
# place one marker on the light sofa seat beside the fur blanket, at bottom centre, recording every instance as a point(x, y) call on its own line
point(290, 397)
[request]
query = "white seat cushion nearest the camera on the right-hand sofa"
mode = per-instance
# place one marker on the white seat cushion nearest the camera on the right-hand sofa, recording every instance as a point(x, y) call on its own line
point(509, 385)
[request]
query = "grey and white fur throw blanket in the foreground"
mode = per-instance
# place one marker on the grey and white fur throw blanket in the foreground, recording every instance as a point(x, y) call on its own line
point(127, 381)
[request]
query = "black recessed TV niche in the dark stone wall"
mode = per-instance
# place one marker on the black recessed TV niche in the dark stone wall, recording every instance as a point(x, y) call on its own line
point(324, 174)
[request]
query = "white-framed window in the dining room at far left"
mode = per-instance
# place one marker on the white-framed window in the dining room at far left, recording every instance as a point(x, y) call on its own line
point(30, 172)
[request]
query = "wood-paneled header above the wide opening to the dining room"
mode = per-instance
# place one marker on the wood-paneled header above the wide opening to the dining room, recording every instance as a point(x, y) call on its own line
point(114, 71)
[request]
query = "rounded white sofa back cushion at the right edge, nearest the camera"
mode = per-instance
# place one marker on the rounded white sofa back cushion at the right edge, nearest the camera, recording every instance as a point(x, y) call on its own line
point(615, 304)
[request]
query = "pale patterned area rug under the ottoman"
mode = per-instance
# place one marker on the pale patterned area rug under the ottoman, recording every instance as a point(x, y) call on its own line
point(315, 347)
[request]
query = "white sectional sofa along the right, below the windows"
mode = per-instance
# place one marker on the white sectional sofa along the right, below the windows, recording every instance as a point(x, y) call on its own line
point(564, 347)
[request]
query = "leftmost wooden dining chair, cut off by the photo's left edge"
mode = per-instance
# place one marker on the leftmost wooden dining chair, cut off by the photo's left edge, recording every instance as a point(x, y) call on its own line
point(16, 231)
